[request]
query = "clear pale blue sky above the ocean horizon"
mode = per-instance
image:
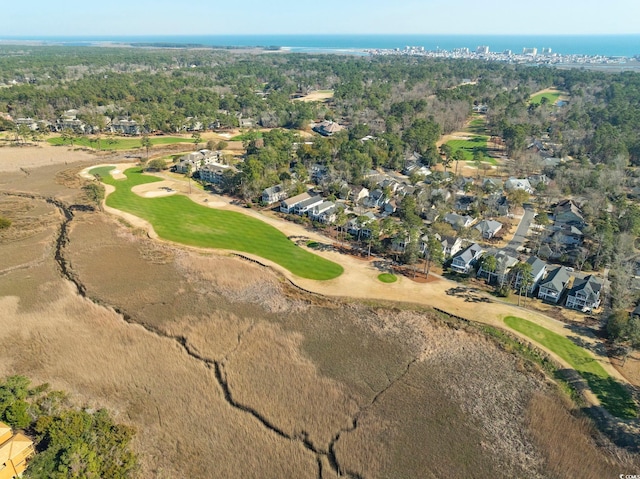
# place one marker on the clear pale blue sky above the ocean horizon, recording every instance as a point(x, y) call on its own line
point(215, 17)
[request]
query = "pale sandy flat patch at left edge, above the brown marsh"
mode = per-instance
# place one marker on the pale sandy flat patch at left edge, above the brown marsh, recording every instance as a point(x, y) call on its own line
point(27, 157)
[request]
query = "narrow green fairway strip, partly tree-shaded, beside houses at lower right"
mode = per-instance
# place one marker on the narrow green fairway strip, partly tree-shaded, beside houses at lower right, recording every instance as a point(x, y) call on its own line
point(613, 396)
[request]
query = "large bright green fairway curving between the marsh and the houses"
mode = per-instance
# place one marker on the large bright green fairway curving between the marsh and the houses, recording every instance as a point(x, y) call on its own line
point(177, 218)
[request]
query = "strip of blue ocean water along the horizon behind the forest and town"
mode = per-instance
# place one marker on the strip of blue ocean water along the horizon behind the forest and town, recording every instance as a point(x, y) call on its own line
point(606, 45)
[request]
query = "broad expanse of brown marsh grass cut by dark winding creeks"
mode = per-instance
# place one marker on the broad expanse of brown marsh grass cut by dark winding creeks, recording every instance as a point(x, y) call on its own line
point(428, 400)
